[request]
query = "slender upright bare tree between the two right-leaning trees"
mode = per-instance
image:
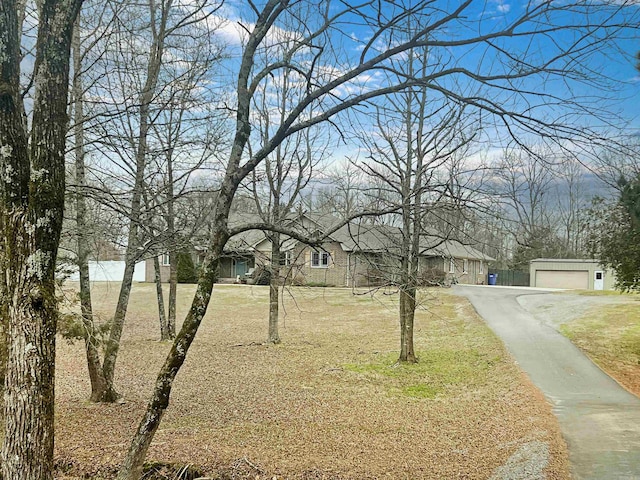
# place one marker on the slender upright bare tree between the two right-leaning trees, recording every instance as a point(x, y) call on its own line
point(184, 141)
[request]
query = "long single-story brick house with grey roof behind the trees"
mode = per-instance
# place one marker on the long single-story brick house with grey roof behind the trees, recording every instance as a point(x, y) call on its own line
point(353, 256)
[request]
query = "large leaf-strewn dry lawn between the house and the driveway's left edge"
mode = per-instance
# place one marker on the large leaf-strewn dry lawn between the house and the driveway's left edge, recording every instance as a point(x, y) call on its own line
point(328, 403)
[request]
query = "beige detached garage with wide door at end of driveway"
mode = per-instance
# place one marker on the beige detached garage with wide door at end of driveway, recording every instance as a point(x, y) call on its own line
point(570, 274)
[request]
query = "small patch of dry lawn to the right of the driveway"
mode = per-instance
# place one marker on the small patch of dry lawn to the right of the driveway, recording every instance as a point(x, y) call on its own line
point(610, 336)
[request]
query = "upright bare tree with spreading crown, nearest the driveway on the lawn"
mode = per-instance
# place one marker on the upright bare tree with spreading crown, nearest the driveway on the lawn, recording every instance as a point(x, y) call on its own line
point(413, 147)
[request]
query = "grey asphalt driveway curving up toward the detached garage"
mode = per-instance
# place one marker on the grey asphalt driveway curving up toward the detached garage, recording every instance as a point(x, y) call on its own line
point(599, 419)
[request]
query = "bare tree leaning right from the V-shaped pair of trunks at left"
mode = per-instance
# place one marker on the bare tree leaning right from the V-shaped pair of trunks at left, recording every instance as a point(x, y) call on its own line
point(147, 83)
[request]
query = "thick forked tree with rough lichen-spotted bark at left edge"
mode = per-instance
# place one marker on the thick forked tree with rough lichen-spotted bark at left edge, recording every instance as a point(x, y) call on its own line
point(31, 213)
